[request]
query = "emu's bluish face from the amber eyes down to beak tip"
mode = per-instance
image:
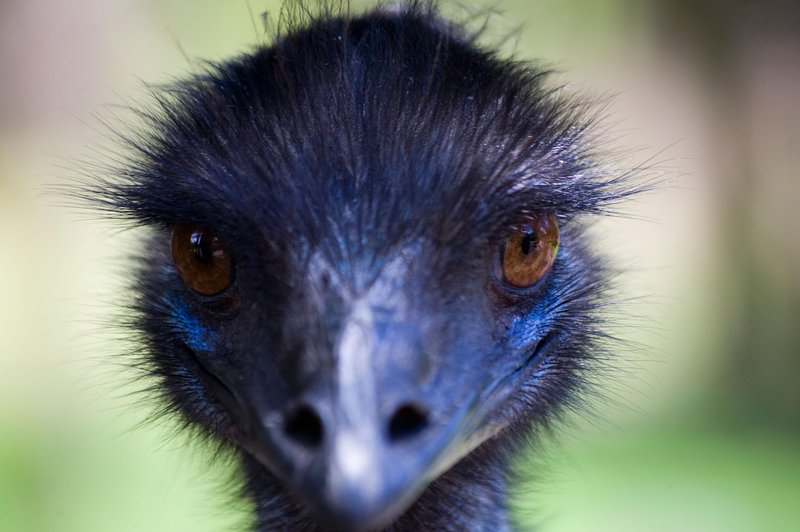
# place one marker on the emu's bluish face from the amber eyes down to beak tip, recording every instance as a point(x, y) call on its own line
point(355, 371)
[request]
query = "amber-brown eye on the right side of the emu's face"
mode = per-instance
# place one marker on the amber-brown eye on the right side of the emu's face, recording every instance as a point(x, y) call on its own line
point(529, 251)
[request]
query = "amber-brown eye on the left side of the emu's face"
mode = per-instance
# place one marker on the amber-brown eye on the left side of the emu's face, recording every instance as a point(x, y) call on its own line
point(202, 262)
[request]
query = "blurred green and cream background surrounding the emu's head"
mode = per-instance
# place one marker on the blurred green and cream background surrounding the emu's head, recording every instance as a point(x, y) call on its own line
point(698, 430)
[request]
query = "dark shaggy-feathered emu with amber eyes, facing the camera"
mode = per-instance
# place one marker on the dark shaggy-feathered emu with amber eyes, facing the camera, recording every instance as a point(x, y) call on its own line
point(365, 264)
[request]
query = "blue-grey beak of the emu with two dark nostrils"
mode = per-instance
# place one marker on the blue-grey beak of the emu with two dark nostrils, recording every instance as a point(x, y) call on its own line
point(361, 448)
